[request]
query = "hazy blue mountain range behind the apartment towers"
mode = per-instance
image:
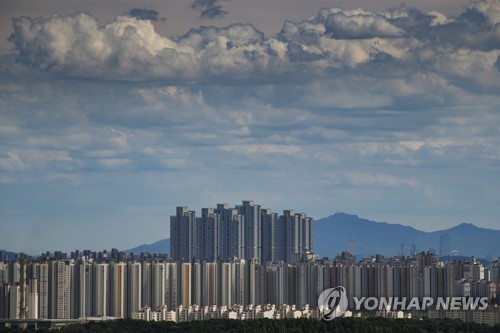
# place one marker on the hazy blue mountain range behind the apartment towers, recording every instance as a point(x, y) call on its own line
point(341, 231)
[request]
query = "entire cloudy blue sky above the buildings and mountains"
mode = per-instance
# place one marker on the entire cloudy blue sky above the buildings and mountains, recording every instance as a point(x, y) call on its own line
point(112, 113)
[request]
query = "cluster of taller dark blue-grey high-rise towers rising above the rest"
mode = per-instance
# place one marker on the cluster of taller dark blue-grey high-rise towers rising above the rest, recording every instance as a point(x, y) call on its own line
point(246, 231)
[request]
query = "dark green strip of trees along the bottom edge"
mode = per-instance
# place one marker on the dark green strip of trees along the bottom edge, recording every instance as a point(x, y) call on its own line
point(358, 325)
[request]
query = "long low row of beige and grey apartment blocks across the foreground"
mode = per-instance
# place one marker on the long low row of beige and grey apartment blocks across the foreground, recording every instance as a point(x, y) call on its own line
point(83, 287)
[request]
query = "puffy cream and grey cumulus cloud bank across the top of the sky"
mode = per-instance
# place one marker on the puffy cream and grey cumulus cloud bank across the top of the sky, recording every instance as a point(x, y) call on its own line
point(396, 42)
